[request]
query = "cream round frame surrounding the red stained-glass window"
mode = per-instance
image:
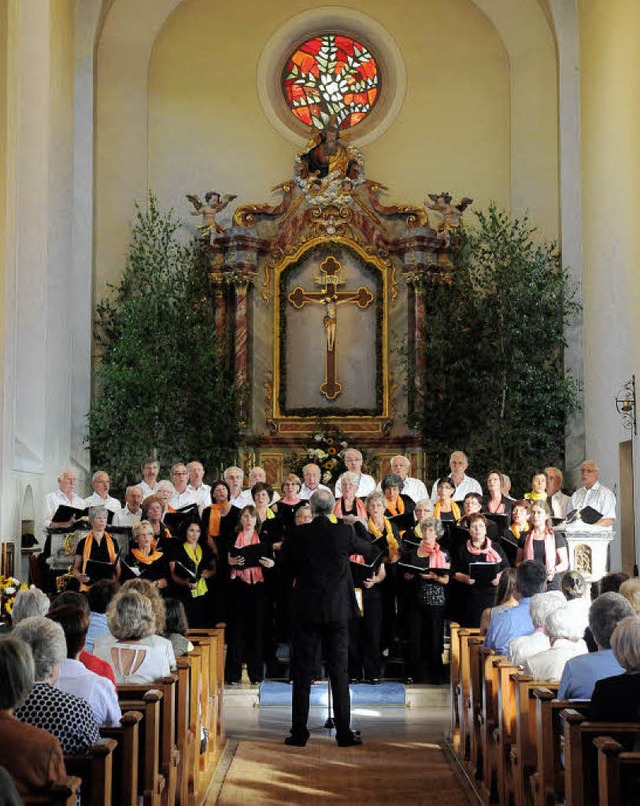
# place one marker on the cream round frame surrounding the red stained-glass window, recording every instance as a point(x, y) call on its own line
point(331, 19)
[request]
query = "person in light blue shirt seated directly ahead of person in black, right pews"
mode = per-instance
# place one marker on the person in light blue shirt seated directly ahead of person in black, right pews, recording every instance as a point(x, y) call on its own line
point(582, 673)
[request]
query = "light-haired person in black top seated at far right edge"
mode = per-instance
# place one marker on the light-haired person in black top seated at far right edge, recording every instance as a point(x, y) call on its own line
point(617, 698)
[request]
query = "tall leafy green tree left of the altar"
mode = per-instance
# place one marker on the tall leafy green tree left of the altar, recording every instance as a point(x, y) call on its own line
point(161, 387)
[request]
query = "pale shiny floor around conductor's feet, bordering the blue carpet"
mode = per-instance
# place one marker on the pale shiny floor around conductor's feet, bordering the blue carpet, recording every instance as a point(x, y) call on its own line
point(425, 718)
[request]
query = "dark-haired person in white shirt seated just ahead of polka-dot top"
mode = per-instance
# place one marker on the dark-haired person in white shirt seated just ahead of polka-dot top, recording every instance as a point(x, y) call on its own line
point(74, 677)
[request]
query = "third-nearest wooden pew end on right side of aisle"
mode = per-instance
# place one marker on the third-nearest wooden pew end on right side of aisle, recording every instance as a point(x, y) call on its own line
point(548, 779)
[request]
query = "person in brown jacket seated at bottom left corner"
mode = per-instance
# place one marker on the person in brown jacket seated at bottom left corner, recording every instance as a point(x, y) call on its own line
point(32, 756)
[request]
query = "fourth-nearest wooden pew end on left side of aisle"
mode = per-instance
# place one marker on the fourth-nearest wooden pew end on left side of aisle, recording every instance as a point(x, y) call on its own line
point(151, 782)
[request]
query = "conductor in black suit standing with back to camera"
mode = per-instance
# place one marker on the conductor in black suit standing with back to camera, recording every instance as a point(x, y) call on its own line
point(317, 555)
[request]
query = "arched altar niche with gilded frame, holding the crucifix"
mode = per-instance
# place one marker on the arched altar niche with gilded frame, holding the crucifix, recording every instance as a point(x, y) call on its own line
point(331, 363)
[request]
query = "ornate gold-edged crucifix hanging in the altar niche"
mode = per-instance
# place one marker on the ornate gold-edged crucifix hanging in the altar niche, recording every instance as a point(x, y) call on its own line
point(329, 280)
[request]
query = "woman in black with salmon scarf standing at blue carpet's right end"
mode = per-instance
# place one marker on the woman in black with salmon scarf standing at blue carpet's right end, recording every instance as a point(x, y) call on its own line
point(424, 600)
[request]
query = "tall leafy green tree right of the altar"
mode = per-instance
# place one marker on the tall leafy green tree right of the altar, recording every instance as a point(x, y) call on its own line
point(495, 385)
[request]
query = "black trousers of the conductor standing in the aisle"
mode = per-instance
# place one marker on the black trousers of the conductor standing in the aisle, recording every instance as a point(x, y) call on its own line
point(306, 641)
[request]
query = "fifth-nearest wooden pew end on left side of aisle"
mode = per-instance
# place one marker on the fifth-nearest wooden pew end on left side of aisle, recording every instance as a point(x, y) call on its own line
point(169, 757)
